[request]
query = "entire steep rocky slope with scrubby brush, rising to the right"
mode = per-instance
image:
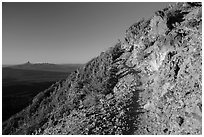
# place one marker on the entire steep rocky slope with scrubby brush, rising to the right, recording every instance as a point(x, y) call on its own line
point(148, 84)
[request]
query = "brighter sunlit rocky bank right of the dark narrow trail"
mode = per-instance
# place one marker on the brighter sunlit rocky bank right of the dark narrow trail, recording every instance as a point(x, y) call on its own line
point(173, 101)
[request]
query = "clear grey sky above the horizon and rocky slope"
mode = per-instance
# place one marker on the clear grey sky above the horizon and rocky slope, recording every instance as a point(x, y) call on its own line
point(66, 32)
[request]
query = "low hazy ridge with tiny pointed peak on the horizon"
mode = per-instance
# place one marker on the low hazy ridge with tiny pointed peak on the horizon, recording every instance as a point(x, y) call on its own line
point(47, 67)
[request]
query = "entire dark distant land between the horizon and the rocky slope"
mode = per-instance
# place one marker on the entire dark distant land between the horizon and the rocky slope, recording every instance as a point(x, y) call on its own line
point(20, 83)
